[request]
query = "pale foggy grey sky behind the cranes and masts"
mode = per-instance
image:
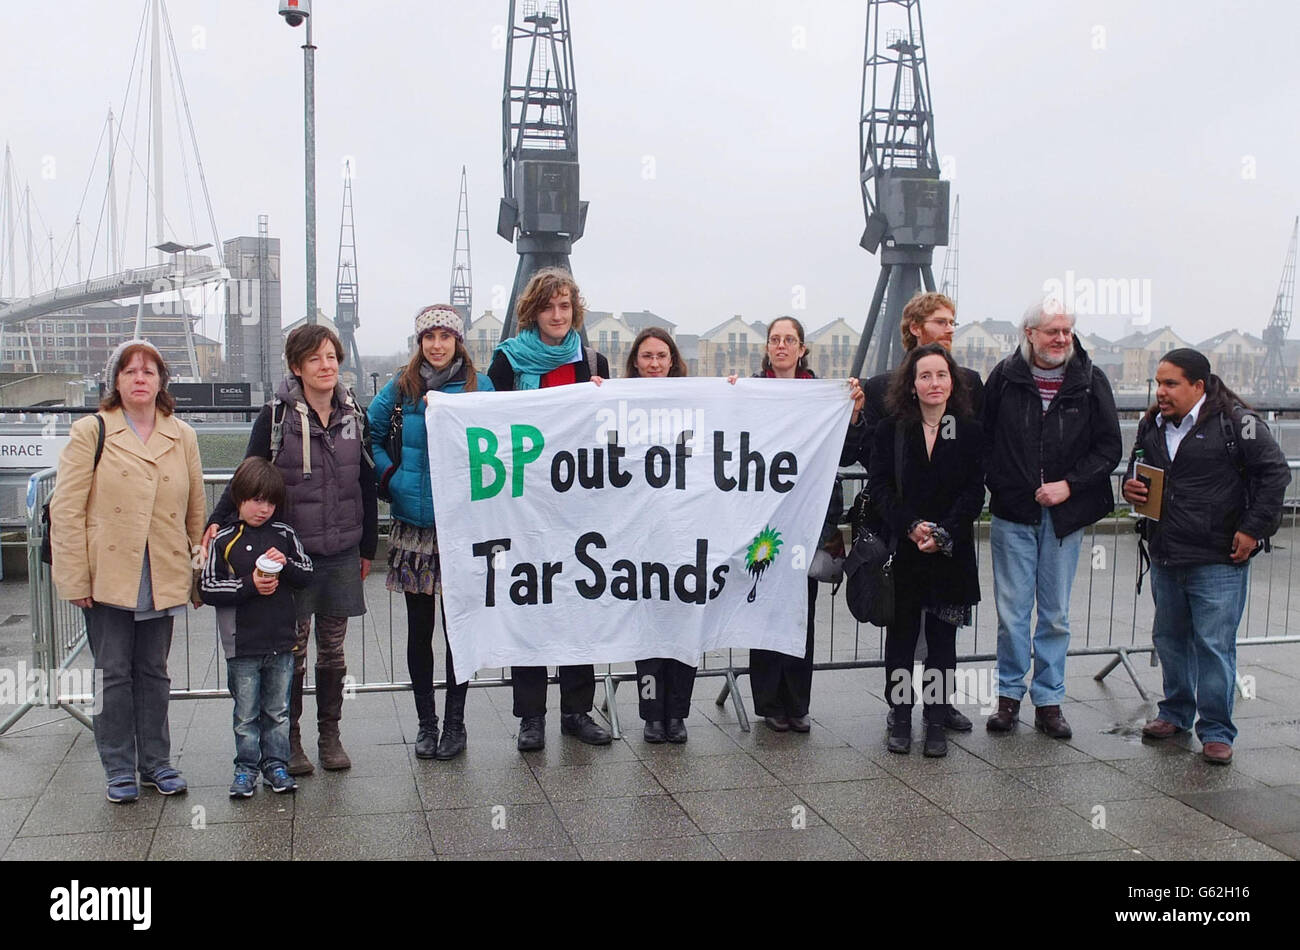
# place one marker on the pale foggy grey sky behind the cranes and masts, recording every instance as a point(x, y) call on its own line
point(1172, 155)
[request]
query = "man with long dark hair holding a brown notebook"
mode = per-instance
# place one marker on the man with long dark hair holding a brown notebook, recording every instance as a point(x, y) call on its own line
point(1224, 484)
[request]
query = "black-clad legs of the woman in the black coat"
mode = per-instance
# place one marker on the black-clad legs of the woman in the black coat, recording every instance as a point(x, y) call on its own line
point(902, 652)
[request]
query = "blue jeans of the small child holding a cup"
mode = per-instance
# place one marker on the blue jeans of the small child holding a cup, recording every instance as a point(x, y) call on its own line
point(261, 687)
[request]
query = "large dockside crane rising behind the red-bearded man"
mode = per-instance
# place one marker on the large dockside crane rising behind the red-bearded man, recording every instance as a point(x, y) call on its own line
point(904, 199)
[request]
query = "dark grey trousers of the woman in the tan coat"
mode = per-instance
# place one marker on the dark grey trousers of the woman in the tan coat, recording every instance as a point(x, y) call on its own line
point(131, 726)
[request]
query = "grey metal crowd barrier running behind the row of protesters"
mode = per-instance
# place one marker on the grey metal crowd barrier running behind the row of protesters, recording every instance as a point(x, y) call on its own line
point(1108, 619)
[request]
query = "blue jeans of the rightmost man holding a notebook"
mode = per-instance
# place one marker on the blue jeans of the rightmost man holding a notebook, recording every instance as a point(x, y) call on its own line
point(1198, 611)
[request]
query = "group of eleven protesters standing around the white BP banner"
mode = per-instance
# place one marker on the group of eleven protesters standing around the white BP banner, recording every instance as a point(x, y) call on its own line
point(296, 532)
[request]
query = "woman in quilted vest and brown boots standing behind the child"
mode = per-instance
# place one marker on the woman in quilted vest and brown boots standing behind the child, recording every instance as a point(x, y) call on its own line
point(331, 501)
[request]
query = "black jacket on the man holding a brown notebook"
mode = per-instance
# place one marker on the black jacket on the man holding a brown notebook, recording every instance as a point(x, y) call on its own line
point(1210, 494)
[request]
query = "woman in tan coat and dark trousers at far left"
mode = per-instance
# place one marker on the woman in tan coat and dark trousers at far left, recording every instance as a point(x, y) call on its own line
point(125, 527)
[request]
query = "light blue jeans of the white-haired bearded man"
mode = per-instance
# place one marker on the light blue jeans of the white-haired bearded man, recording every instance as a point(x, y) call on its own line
point(1032, 563)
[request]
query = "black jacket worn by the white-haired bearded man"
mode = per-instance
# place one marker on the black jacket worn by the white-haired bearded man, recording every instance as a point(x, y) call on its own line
point(1076, 441)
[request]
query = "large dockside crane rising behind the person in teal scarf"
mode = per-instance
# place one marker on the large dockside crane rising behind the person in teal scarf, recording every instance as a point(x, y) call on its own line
point(541, 212)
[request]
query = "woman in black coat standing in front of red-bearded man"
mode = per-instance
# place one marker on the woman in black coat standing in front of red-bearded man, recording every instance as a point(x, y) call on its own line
point(931, 514)
